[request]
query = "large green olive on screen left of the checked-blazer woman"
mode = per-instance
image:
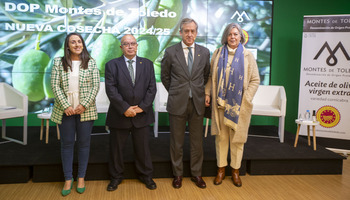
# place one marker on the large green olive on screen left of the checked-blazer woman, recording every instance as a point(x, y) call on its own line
point(27, 74)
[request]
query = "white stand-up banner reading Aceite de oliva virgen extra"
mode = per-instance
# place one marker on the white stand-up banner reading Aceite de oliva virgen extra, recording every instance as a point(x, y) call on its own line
point(324, 87)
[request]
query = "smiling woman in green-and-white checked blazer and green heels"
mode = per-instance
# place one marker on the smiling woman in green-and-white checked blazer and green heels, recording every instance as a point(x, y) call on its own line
point(75, 81)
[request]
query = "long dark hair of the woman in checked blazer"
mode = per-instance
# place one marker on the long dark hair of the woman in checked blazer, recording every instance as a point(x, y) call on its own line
point(66, 59)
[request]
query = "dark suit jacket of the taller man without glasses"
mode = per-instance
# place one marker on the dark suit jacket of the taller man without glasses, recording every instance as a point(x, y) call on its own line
point(178, 81)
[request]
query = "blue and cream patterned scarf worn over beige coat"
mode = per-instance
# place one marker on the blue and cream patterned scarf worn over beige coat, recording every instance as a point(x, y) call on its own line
point(230, 91)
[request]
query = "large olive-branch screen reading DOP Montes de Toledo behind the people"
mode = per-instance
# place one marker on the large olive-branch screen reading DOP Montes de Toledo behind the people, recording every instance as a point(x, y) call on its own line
point(32, 34)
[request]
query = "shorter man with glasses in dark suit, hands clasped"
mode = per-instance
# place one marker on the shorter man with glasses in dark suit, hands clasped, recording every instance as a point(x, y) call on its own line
point(131, 88)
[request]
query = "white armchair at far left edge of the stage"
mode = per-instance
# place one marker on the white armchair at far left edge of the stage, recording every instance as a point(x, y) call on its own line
point(13, 104)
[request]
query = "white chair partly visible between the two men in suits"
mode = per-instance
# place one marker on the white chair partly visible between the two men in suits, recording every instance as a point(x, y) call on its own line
point(160, 102)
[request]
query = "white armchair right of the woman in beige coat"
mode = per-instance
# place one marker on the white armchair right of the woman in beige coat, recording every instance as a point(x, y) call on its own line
point(271, 100)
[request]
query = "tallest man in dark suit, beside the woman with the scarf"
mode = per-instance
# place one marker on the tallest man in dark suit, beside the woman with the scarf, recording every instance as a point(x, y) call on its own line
point(184, 72)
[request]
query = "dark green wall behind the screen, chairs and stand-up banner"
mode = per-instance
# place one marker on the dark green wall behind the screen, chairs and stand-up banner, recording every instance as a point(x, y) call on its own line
point(286, 54)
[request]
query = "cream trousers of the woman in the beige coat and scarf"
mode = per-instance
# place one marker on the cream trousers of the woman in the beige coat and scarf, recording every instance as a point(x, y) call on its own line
point(223, 142)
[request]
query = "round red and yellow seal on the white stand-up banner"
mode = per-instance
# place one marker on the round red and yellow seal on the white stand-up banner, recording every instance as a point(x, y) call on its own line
point(328, 116)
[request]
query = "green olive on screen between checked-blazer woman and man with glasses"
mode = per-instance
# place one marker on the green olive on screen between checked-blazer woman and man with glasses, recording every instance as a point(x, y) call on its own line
point(106, 48)
